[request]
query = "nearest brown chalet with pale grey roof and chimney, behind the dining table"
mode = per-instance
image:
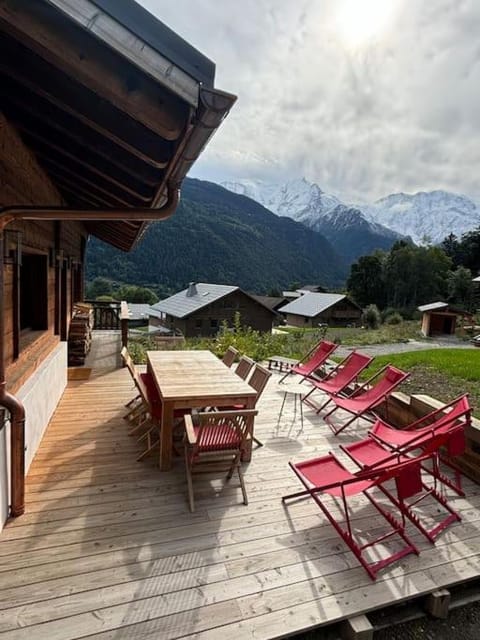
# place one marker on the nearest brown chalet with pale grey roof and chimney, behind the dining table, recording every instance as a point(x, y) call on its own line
point(201, 309)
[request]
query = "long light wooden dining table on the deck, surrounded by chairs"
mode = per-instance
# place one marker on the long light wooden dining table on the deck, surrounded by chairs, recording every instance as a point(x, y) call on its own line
point(192, 379)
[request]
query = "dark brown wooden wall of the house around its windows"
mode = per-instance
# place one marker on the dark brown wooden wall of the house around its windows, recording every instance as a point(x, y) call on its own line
point(24, 182)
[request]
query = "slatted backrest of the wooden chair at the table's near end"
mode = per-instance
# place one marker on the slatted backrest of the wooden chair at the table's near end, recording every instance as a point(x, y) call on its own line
point(222, 430)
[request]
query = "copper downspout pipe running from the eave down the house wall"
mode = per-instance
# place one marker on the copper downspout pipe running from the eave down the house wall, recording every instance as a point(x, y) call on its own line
point(7, 400)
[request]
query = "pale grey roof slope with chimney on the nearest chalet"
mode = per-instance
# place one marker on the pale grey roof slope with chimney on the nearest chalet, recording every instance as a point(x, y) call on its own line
point(196, 296)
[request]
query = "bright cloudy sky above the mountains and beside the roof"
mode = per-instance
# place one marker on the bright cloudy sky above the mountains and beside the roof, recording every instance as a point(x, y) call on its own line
point(363, 97)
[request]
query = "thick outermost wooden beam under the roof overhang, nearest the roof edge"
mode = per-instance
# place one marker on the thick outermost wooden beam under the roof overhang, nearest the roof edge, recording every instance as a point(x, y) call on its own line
point(85, 58)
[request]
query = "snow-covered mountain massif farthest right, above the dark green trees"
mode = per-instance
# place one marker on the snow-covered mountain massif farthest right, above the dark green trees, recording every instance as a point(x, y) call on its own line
point(427, 217)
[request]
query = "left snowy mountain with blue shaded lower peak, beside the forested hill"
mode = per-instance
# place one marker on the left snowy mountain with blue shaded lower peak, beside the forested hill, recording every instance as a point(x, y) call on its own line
point(345, 226)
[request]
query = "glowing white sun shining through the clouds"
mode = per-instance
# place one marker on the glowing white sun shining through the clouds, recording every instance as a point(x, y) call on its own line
point(359, 22)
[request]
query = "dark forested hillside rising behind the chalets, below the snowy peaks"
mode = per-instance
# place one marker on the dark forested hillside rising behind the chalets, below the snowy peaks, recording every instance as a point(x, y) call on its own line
point(218, 236)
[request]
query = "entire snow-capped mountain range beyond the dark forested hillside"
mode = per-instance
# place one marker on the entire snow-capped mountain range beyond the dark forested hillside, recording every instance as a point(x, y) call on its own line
point(425, 217)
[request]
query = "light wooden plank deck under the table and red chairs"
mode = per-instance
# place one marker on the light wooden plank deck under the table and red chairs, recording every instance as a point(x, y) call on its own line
point(108, 548)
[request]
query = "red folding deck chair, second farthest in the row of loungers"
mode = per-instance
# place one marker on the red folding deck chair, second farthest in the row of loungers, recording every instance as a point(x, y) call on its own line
point(339, 379)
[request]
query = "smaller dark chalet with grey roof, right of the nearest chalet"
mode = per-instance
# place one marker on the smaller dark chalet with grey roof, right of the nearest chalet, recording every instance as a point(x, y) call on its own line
point(312, 309)
